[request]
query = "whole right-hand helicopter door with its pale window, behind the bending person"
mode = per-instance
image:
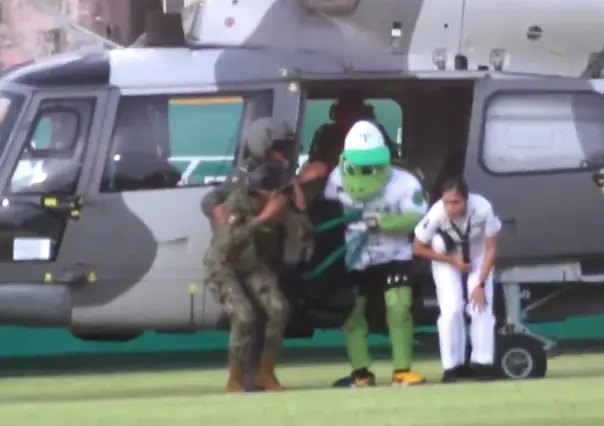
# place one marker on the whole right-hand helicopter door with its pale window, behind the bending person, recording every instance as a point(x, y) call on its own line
point(535, 149)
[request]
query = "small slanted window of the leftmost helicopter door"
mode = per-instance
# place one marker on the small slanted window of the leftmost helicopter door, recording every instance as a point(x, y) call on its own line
point(51, 156)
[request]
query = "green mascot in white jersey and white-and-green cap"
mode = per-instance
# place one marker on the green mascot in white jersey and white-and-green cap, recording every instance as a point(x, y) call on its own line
point(378, 248)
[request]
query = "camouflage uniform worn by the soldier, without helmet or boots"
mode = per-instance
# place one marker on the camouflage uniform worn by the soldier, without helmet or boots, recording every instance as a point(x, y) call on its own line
point(239, 257)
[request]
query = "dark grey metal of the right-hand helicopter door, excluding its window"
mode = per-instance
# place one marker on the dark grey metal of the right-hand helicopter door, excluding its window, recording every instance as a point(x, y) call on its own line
point(545, 227)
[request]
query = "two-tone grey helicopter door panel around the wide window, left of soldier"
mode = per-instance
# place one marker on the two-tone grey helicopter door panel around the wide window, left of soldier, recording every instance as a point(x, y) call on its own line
point(160, 222)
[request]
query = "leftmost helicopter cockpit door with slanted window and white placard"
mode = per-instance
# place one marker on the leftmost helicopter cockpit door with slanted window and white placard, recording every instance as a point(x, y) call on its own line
point(43, 177)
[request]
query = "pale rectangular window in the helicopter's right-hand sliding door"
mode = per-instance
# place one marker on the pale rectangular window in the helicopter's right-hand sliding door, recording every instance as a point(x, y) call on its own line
point(544, 132)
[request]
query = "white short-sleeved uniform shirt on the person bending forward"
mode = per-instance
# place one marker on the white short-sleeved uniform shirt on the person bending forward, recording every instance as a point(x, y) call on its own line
point(480, 216)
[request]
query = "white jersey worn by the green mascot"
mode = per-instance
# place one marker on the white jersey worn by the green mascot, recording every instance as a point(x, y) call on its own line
point(399, 195)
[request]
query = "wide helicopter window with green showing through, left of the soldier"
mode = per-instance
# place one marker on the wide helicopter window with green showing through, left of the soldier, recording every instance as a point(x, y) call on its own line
point(191, 142)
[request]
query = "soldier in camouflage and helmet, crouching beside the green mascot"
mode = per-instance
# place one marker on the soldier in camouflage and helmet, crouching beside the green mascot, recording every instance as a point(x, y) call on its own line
point(245, 212)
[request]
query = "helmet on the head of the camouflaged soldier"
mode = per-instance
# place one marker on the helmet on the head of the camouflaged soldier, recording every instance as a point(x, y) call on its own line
point(263, 134)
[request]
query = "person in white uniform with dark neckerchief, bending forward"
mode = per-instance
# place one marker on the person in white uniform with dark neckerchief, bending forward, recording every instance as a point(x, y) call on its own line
point(459, 236)
